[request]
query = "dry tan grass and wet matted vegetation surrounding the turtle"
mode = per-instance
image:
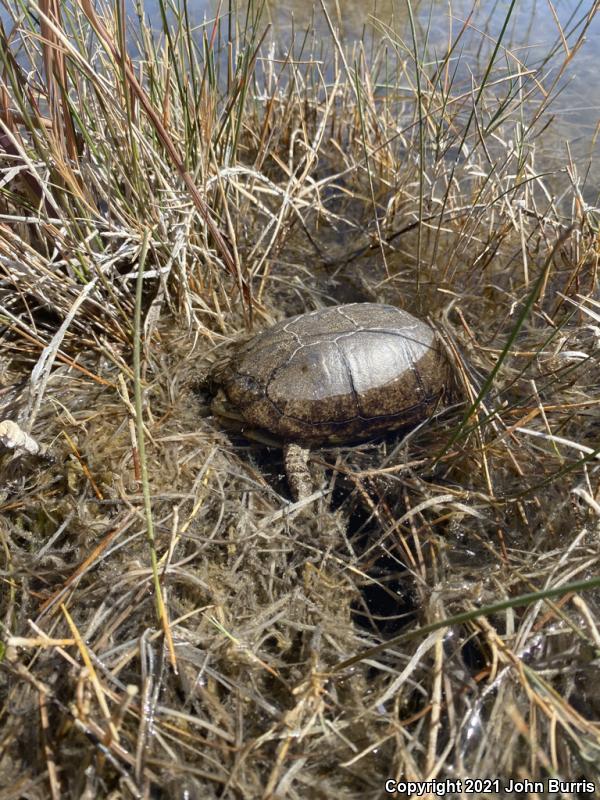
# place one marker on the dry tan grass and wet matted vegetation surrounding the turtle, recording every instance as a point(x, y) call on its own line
point(171, 625)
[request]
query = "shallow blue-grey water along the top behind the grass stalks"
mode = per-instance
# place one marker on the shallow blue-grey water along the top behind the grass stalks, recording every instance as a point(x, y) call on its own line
point(530, 35)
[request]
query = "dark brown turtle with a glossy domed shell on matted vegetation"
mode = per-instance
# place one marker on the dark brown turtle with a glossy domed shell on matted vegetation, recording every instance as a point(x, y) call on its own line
point(341, 374)
